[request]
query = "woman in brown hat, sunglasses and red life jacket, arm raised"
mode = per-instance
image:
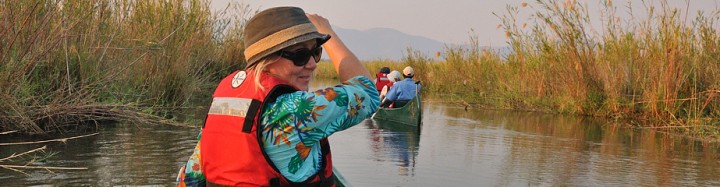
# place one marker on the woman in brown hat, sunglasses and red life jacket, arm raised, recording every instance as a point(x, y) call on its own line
point(264, 128)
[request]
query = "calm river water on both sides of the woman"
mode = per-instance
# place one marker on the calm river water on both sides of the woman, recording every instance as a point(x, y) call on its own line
point(454, 148)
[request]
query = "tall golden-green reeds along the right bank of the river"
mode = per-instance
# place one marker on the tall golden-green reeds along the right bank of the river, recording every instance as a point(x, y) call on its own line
point(653, 68)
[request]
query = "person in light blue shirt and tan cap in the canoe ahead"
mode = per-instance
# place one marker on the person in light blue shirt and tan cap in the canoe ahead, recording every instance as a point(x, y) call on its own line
point(403, 91)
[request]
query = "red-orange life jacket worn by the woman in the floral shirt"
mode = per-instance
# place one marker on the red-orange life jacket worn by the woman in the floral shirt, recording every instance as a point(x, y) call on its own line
point(231, 152)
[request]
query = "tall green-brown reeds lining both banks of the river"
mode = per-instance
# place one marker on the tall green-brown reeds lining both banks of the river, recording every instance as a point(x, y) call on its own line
point(67, 64)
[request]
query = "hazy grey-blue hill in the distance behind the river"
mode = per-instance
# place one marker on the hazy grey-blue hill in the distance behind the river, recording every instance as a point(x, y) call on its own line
point(385, 43)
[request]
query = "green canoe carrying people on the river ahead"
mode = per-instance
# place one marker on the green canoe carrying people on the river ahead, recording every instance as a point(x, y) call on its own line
point(410, 114)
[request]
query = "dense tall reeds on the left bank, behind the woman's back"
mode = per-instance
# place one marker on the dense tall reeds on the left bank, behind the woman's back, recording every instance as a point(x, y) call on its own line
point(110, 57)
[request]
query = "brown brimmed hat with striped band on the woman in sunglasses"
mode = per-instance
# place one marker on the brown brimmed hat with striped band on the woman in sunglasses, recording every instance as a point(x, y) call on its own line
point(276, 28)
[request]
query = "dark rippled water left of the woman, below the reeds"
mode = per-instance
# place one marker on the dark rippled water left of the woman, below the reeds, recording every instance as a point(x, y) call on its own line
point(120, 154)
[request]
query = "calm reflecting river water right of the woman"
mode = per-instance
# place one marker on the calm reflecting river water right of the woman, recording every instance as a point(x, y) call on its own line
point(499, 148)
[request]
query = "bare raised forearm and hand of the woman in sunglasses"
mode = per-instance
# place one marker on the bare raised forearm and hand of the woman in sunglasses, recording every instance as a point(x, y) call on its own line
point(346, 63)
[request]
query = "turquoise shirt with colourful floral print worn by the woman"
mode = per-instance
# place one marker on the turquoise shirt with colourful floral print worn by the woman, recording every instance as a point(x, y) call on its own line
point(294, 124)
